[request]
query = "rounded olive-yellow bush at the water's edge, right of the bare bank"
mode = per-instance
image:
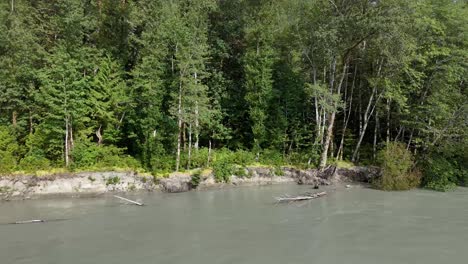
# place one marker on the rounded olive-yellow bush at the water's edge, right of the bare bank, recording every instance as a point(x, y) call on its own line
point(398, 172)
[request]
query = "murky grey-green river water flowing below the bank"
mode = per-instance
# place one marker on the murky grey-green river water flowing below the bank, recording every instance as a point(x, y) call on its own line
point(241, 225)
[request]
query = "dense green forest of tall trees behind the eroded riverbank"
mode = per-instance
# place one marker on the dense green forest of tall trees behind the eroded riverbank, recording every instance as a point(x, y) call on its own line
point(166, 85)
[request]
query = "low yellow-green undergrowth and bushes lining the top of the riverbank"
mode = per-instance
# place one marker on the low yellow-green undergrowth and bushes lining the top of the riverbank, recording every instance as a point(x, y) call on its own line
point(399, 168)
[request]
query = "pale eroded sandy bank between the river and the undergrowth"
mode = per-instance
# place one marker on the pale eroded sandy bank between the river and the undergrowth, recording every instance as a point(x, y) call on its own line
point(96, 183)
